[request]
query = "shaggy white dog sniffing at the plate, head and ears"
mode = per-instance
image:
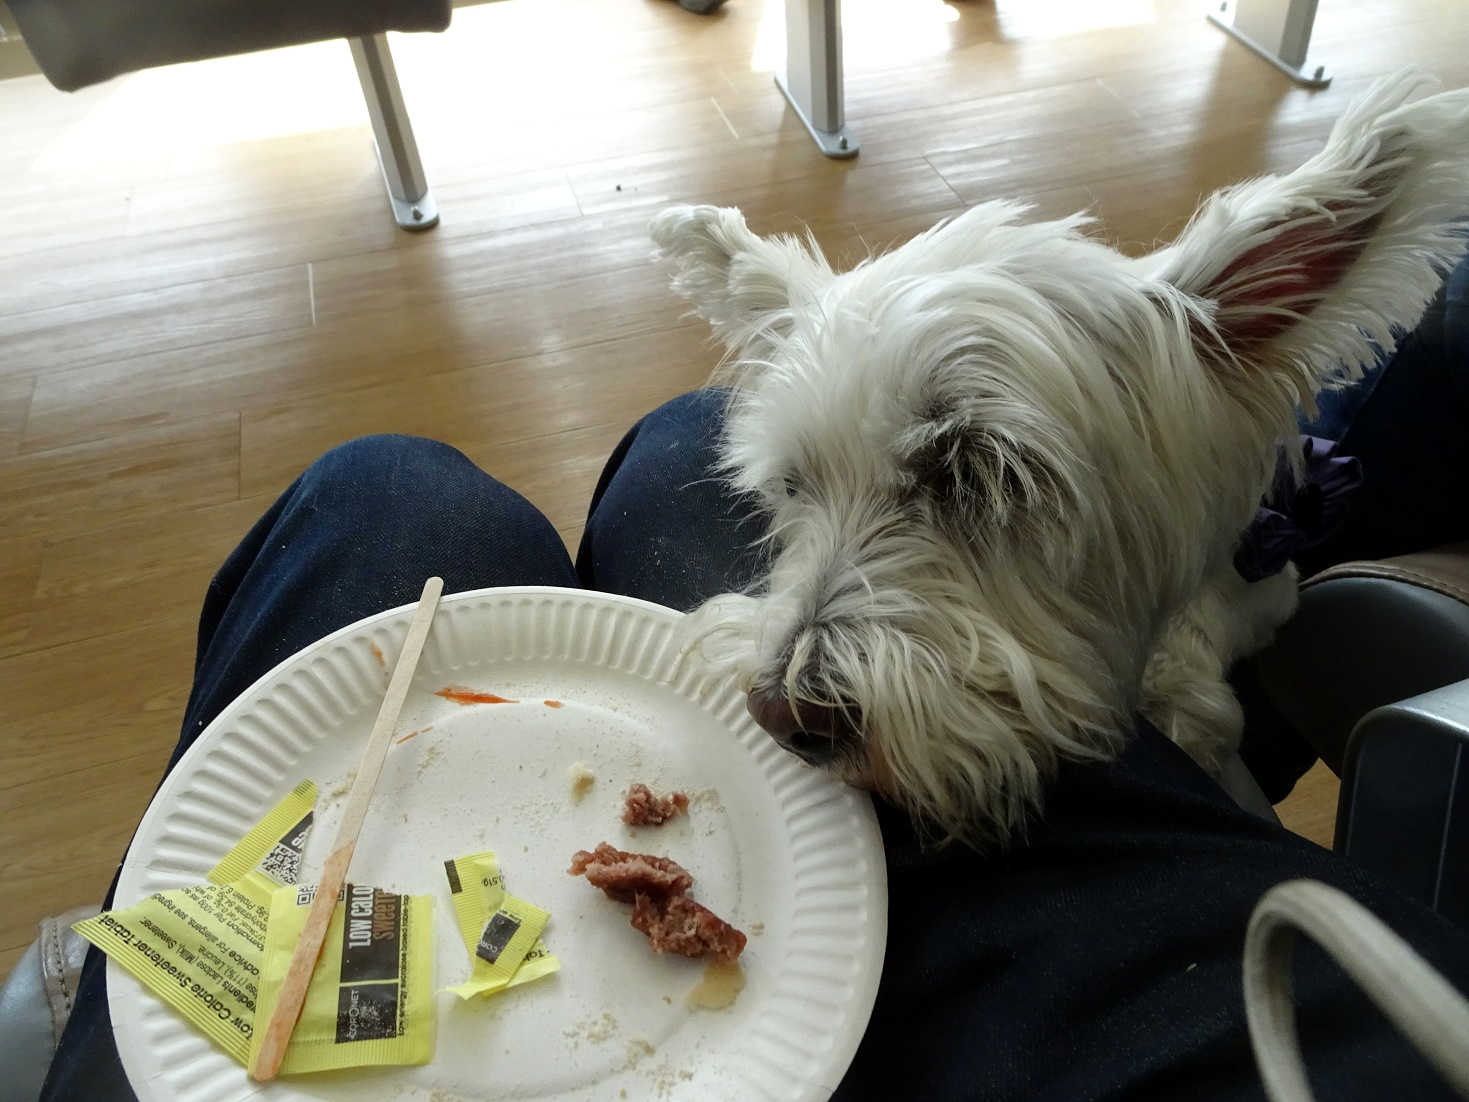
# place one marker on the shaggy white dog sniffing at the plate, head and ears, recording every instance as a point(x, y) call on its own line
point(1007, 468)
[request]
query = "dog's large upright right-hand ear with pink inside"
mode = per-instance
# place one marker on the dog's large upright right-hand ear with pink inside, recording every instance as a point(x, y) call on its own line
point(1305, 273)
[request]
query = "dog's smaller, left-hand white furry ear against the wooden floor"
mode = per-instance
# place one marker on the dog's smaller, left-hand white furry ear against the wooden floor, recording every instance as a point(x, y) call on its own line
point(741, 284)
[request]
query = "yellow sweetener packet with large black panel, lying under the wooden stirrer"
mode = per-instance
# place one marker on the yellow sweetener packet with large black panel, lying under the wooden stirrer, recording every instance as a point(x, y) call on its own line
point(371, 1000)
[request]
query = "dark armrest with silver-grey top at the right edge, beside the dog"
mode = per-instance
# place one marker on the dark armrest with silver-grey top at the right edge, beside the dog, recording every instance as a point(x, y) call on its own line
point(1405, 797)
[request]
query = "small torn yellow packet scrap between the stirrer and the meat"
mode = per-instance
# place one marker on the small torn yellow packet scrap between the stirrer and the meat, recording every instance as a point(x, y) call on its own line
point(500, 932)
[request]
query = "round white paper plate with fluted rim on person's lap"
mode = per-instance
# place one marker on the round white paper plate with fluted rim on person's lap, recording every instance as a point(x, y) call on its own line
point(775, 847)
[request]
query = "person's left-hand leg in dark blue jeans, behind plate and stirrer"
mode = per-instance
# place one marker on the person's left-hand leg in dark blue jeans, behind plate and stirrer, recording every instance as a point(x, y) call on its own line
point(356, 534)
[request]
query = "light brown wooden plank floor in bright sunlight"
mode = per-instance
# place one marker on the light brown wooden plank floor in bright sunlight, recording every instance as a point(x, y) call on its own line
point(201, 287)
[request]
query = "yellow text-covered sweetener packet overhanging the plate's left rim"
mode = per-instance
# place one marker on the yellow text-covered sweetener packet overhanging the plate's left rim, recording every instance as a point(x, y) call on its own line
point(199, 948)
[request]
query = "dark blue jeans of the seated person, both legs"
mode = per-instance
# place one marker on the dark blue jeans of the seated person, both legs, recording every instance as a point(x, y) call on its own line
point(1100, 960)
